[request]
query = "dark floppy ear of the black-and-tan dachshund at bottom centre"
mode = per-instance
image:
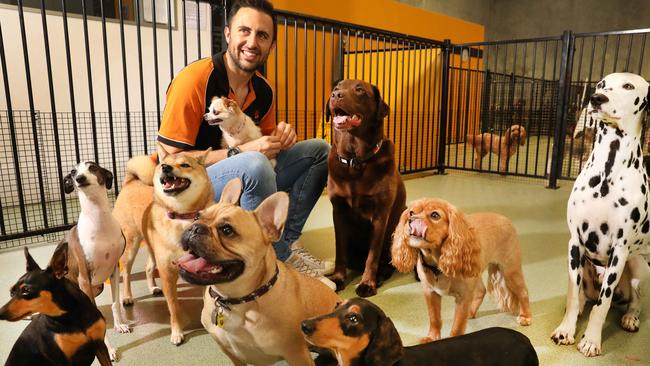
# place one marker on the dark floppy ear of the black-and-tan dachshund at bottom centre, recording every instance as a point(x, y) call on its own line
point(385, 347)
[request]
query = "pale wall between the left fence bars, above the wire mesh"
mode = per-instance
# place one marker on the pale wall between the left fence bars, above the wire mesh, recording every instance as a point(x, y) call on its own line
point(36, 49)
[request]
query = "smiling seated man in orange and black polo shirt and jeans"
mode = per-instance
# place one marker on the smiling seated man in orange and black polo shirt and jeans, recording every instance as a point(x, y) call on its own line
point(301, 168)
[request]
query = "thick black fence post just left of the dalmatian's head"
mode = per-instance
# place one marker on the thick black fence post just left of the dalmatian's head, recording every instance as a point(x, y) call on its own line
point(562, 101)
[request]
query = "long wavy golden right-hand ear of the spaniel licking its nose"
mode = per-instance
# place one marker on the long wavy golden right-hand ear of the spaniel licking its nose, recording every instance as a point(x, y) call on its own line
point(460, 254)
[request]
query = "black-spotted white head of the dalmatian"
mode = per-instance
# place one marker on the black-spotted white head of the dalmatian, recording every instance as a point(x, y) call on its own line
point(620, 101)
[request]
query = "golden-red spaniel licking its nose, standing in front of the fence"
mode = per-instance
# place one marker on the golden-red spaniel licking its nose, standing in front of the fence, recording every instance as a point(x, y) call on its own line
point(450, 251)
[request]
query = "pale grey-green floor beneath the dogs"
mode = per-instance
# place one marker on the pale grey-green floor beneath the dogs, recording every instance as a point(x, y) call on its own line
point(538, 213)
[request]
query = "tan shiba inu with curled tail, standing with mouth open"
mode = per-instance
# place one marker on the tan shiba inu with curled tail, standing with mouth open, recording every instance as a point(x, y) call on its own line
point(159, 215)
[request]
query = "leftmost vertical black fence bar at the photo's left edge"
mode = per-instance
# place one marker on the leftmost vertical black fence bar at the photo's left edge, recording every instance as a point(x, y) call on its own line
point(14, 142)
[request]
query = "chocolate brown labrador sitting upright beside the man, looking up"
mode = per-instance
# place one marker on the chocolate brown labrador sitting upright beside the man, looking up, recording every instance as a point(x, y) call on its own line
point(364, 186)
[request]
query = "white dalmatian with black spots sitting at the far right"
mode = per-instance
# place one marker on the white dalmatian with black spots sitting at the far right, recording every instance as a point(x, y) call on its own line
point(607, 213)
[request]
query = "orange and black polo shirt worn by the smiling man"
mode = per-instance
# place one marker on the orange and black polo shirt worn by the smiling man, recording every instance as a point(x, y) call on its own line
point(191, 92)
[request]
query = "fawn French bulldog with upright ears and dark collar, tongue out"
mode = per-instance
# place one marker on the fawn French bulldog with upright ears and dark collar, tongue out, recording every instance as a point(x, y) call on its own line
point(254, 304)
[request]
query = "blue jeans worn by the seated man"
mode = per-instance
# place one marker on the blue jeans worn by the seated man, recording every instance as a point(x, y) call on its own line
point(300, 171)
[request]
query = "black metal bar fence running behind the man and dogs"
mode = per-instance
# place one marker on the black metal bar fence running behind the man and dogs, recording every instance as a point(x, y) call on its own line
point(89, 84)
